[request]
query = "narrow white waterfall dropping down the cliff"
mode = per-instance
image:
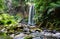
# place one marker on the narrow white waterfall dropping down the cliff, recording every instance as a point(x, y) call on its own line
point(31, 15)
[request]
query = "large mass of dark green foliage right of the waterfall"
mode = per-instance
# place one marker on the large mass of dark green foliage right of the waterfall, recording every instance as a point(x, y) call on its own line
point(43, 15)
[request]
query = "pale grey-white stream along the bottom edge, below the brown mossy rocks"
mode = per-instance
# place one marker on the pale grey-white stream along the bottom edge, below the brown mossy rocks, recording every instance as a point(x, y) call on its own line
point(40, 35)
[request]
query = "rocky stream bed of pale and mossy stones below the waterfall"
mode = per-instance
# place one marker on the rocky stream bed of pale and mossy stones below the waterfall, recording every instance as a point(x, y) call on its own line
point(33, 32)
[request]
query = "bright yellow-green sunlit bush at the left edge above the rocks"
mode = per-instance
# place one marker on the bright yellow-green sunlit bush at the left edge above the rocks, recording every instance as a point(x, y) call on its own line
point(7, 20)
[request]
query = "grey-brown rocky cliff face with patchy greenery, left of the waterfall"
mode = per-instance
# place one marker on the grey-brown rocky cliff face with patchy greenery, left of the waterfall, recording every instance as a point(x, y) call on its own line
point(21, 7)
